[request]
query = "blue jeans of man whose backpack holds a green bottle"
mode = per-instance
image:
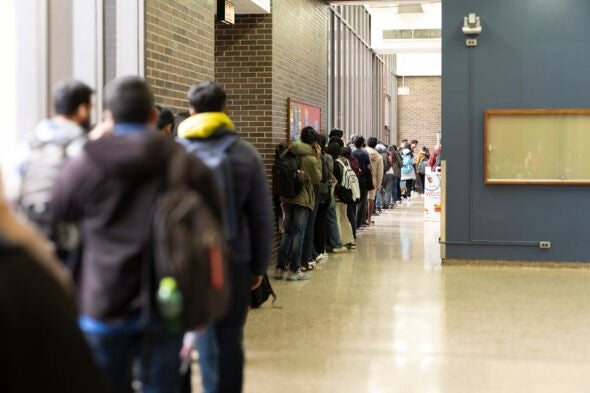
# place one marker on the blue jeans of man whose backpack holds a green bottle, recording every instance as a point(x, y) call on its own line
point(157, 351)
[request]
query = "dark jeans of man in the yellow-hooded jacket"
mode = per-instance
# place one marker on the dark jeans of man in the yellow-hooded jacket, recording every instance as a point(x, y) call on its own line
point(221, 349)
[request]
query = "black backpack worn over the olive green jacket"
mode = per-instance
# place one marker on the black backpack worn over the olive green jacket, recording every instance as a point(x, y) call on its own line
point(287, 178)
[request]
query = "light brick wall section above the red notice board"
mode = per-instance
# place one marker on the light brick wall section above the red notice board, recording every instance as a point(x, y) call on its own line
point(300, 59)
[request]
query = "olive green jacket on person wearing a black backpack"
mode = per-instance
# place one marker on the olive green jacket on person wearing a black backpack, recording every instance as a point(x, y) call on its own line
point(312, 168)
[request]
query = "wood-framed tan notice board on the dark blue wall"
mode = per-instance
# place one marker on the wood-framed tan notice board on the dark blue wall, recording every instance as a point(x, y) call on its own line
point(537, 146)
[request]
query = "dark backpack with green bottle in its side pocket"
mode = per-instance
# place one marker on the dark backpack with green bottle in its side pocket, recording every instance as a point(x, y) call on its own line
point(189, 245)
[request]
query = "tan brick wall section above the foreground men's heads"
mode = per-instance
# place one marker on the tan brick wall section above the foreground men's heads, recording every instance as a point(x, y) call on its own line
point(179, 47)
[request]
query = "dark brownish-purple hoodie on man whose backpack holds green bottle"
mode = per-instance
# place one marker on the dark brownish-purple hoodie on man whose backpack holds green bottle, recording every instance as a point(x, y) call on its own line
point(111, 190)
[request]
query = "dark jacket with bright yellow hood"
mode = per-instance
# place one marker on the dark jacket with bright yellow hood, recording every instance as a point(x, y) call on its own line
point(253, 244)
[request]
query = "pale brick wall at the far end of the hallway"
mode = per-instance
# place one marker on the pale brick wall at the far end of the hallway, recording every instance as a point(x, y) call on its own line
point(419, 114)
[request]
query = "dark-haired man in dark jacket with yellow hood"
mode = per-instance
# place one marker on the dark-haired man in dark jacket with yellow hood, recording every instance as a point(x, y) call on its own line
point(248, 204)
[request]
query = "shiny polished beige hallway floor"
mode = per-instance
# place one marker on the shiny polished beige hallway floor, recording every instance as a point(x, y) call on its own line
point(389, 318)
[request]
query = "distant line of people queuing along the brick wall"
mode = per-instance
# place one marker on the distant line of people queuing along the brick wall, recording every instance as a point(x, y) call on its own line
point(317, 220)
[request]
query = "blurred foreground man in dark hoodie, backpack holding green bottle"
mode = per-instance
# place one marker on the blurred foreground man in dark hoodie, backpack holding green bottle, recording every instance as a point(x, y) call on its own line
point(111, 189)
